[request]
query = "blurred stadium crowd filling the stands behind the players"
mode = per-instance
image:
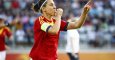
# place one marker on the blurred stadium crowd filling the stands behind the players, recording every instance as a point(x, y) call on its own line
point(98, 30)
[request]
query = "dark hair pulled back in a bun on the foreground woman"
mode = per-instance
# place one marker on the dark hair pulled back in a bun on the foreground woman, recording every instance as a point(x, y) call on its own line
point(37, 7)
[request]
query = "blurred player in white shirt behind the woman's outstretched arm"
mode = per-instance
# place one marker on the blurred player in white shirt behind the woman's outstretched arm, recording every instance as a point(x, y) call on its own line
point(72, 47)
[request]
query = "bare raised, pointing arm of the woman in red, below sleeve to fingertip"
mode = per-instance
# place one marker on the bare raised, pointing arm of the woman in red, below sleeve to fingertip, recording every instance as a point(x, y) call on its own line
point(79, 23)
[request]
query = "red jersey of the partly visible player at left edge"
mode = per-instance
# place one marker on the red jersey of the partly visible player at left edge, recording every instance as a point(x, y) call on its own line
point(4, 31)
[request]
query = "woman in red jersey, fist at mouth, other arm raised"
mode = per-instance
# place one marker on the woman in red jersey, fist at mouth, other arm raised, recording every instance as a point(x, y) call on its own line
point(47, 28)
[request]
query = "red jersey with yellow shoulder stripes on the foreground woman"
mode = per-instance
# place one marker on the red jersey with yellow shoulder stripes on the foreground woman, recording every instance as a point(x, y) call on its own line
point(45, 44)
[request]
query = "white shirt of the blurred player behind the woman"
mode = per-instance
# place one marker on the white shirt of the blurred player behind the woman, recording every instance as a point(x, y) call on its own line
point(72, 41)
